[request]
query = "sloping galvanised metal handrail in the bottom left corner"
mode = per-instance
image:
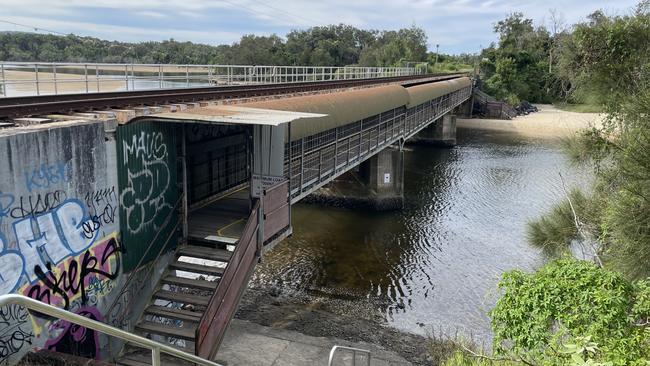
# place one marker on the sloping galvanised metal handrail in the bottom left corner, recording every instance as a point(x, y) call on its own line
point(155, 347)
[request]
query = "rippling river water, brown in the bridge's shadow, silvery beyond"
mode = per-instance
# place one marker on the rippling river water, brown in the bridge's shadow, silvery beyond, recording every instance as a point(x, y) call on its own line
point(434, 265)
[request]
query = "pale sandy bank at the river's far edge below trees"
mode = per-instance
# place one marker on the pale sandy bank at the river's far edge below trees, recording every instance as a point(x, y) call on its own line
point(548, 122)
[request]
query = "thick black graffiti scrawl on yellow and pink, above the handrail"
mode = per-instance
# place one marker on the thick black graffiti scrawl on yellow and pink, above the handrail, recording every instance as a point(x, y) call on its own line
point(59, 285)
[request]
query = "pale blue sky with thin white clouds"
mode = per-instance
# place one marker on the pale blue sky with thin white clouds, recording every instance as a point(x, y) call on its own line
point(456, 25)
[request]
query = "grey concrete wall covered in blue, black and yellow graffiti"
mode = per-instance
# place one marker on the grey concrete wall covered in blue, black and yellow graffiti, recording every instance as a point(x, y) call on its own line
point(59, 224)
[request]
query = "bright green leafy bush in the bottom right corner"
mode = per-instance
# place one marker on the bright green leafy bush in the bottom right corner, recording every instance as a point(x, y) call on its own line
point(542, 316)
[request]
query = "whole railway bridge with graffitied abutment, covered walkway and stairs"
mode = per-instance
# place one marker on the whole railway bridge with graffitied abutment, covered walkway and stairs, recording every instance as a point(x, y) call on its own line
point(179, 192)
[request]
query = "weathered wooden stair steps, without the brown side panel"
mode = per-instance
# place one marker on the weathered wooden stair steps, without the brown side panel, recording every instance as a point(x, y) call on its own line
point(183, 294)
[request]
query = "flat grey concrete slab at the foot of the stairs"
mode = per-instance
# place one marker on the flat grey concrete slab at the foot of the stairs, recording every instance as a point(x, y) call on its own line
point(251, 344)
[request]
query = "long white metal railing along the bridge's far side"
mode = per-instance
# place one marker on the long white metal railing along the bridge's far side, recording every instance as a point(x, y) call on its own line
point(41, 78)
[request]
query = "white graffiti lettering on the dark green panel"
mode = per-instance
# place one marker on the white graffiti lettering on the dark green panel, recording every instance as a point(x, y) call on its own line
point(143, 198)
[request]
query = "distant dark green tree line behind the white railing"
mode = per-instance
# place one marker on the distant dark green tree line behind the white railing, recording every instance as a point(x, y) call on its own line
point(336, 45)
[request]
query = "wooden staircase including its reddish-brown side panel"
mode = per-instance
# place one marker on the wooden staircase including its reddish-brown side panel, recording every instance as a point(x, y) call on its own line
point(199, 291)
